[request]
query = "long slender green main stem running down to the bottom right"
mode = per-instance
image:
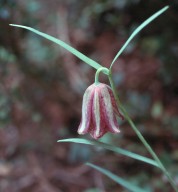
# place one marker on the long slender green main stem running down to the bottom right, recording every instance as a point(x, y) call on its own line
point(147, 146)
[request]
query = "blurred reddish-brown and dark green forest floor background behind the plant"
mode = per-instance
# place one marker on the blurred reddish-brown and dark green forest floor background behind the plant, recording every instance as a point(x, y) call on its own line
point(41, 89)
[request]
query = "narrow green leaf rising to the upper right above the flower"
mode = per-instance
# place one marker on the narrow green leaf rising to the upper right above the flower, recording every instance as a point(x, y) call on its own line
point(137, 30)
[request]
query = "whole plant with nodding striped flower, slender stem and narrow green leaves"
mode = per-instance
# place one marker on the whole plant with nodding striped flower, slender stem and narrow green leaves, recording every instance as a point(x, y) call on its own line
point(99, 105)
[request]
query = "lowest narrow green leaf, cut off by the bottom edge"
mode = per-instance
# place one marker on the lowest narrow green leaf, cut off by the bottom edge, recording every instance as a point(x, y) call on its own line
point(119, 180)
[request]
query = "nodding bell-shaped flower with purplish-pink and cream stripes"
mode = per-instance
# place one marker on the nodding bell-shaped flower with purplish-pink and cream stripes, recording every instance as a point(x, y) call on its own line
point(99, 111)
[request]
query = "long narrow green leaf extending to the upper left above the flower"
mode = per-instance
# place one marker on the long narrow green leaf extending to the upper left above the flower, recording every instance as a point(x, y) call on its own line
point(64, 45)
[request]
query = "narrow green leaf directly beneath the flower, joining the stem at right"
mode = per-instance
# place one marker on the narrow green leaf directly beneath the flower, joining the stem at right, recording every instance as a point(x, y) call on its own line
point(111, 148)
